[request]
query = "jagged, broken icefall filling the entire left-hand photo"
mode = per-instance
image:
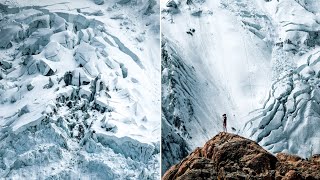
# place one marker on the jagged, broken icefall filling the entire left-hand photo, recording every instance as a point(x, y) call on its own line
point(79, 96)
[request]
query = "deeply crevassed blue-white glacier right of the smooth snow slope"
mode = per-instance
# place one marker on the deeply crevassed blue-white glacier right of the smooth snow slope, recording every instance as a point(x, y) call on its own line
point(289, 121)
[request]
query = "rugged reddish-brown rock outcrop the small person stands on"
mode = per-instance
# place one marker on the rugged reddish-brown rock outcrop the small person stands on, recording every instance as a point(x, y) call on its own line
point(229, 156)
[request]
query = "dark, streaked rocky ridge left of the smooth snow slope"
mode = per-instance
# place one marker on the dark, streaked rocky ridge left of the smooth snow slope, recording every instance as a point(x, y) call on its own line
point(177, 78)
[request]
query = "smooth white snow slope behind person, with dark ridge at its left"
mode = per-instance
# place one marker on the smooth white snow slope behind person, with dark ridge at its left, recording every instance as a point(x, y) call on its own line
point(217, 60)
